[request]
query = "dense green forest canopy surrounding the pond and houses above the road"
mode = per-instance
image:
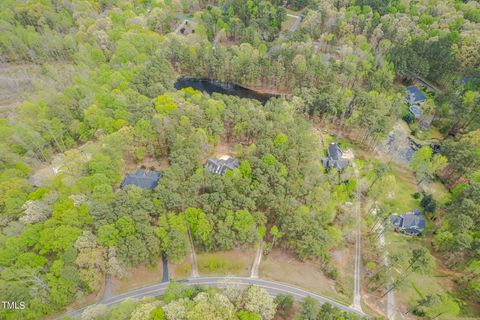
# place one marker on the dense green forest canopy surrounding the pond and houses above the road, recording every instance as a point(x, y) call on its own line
point(117, 108)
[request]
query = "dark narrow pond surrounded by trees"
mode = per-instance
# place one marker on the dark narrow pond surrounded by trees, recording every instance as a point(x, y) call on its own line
point(211, 86)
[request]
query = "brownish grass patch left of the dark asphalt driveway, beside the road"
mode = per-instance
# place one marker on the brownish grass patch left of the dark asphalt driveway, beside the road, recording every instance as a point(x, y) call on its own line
point(138, 277)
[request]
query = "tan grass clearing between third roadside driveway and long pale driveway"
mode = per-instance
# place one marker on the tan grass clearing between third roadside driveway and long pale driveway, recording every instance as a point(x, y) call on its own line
point(283, 267)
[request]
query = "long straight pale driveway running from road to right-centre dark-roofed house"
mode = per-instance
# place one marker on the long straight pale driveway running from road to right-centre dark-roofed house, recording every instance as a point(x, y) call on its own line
point(356, 285)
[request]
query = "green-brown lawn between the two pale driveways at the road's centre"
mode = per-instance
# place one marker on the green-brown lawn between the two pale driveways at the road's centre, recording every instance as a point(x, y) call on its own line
point(236, 262)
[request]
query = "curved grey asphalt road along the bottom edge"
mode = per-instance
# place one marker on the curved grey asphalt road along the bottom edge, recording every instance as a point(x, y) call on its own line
point(274, 288)
